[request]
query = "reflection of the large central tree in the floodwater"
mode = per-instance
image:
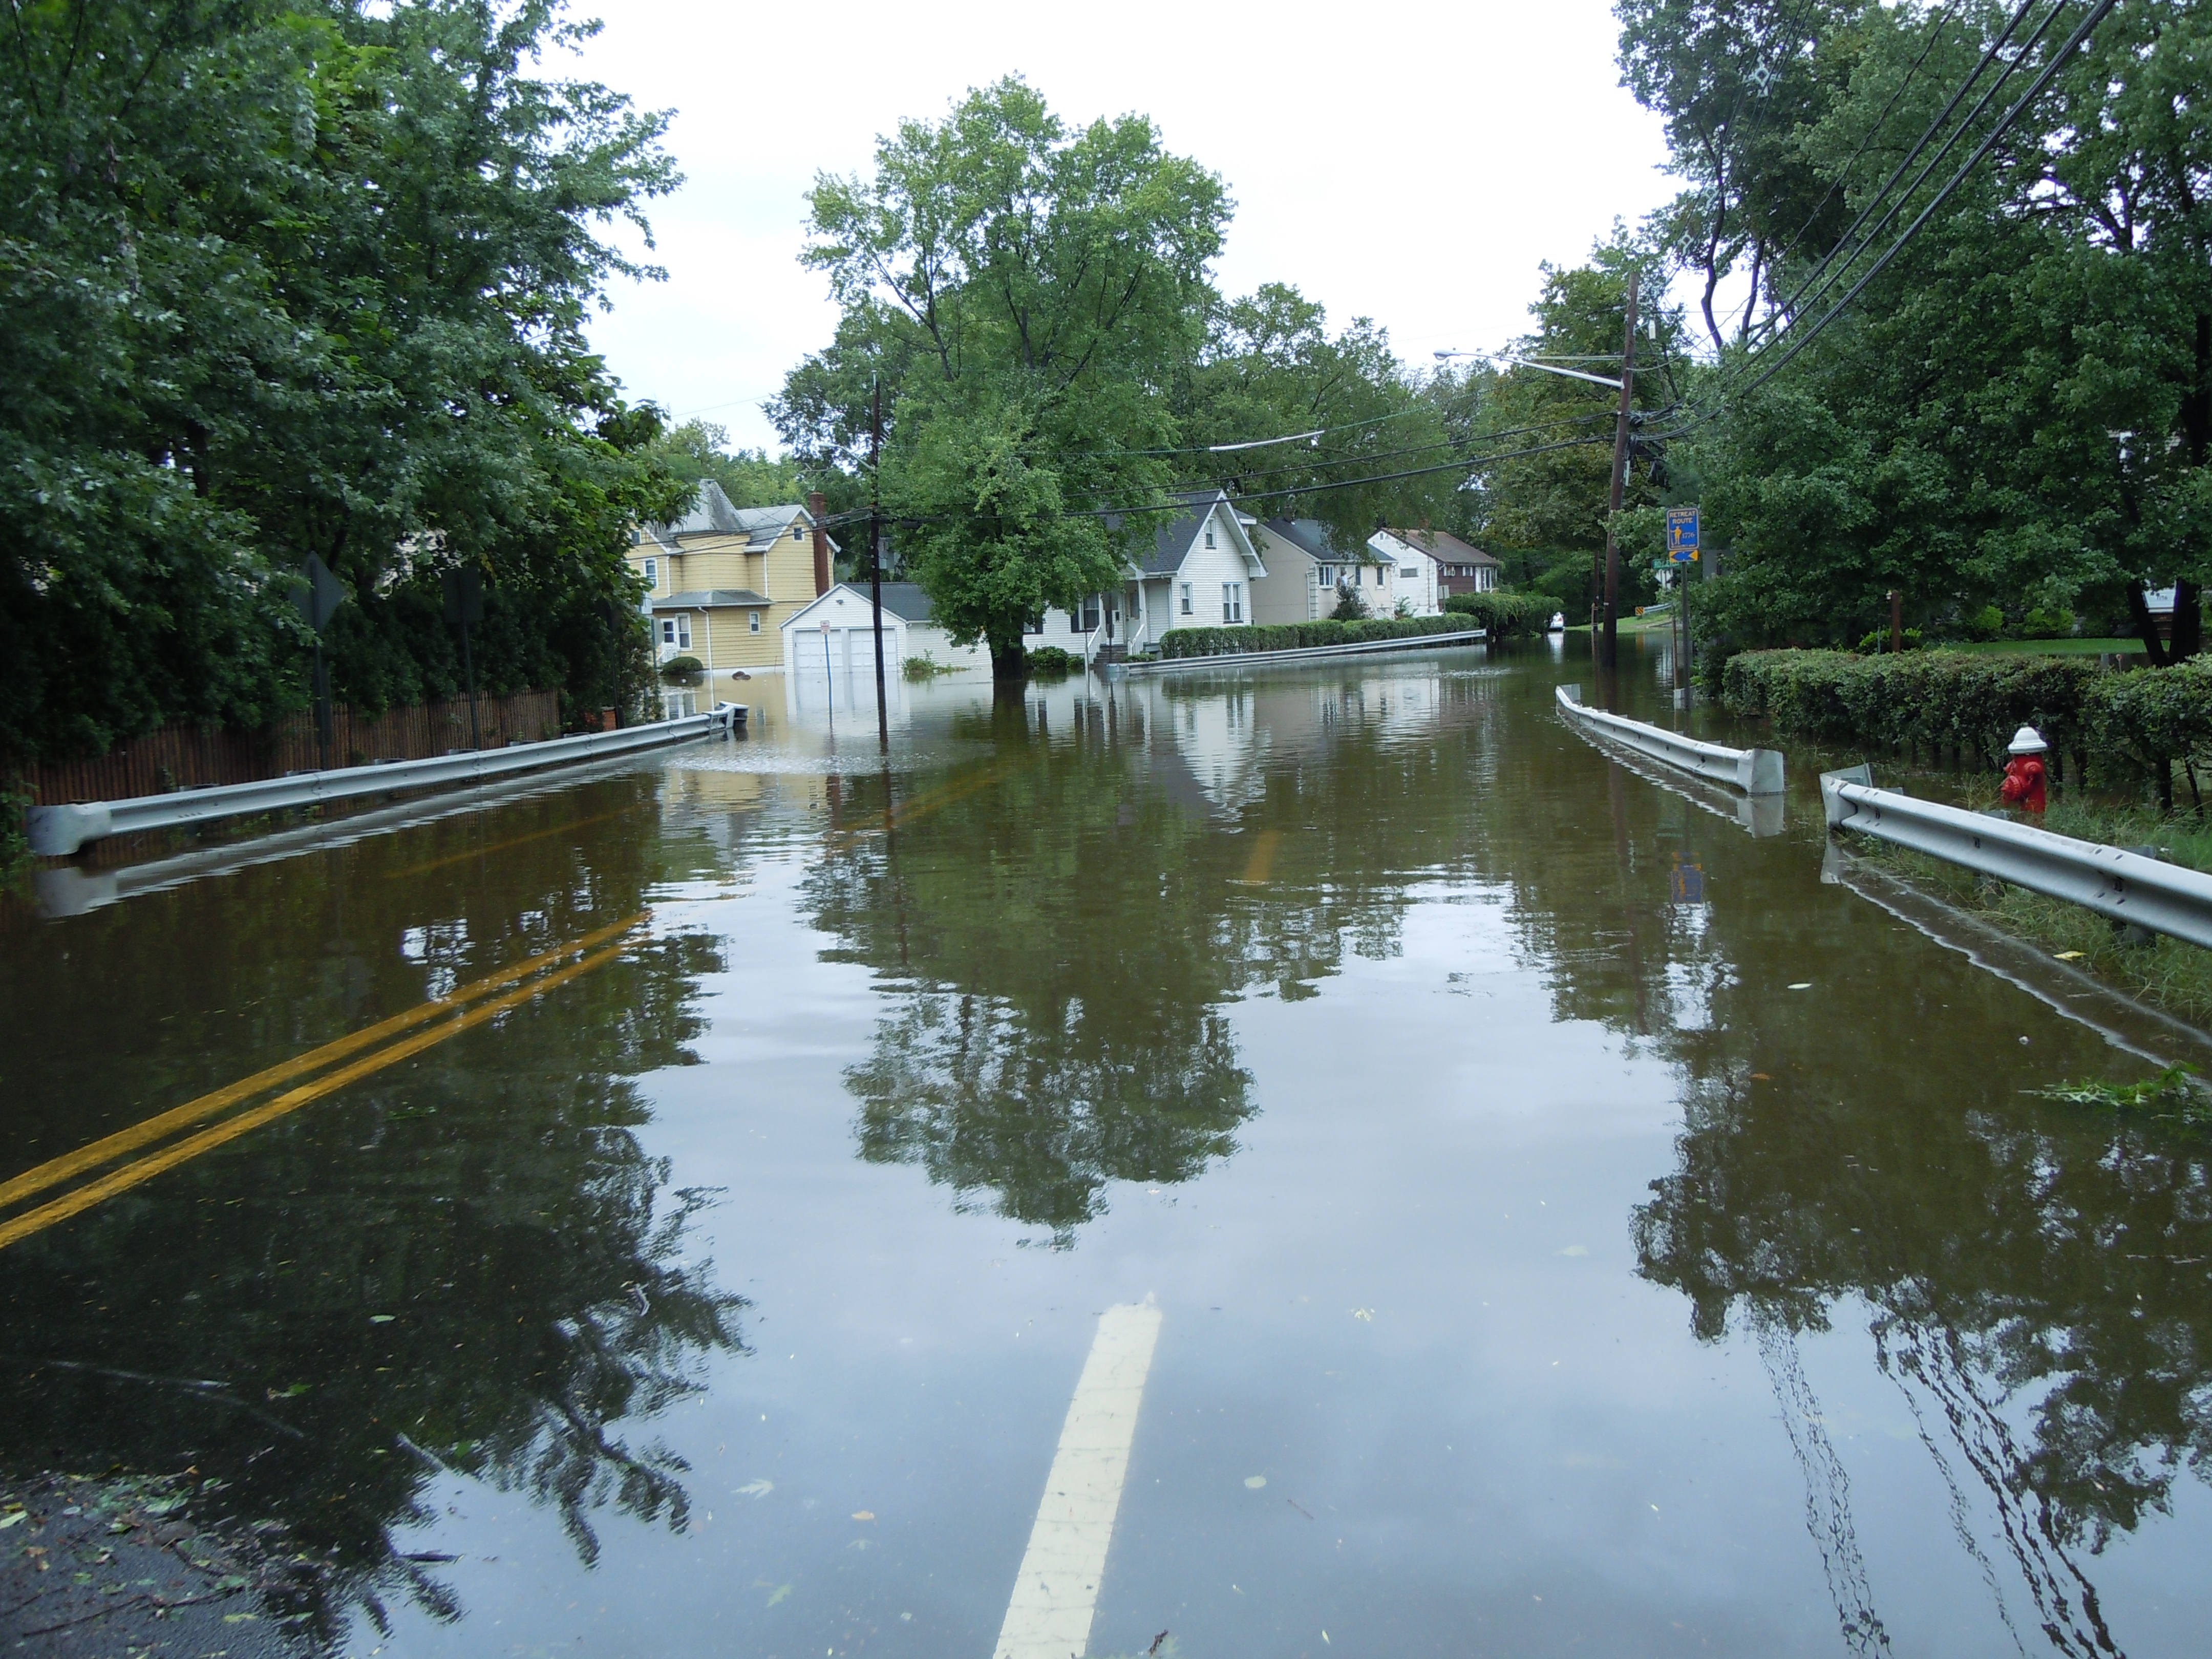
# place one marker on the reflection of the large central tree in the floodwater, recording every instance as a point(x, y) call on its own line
point(1065, 919)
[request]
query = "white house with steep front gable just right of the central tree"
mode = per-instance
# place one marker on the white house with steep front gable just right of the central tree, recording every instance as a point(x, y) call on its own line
point(1200, 572)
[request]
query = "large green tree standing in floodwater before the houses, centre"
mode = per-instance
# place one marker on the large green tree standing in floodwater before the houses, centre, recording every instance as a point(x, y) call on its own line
point(1023, 293)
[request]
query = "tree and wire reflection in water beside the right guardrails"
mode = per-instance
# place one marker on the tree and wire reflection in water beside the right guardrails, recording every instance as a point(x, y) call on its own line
point(2032, 1273)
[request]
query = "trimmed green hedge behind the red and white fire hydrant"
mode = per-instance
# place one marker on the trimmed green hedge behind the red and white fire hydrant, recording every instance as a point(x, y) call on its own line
point(2133, 722)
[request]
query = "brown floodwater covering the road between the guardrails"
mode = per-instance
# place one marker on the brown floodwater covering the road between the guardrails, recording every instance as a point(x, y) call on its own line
point(1574, 1224)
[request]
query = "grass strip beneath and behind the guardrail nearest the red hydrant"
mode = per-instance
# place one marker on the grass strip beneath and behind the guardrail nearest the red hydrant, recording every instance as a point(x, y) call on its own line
point(2162, 972)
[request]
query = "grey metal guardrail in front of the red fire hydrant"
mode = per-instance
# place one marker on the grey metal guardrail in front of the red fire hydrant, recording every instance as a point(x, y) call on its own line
point(2111, 881)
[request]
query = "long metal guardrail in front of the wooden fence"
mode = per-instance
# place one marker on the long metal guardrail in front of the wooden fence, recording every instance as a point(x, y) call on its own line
point(63, 831)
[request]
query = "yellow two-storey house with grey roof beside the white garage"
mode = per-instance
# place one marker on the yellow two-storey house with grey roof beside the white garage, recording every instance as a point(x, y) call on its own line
point(720, 585)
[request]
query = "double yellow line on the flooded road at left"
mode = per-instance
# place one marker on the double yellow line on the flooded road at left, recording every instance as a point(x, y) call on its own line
point(574, 959)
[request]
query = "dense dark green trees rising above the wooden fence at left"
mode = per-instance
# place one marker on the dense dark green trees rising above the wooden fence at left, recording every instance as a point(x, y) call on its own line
point(291, 278)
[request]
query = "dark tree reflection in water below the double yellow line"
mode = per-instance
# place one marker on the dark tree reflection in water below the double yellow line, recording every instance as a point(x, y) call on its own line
point(494, 1202)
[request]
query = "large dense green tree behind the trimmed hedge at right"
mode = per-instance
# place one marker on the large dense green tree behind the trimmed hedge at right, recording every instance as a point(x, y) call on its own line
point(2016, 413)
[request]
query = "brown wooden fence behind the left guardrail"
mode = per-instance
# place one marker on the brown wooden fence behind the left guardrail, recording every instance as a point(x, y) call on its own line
point(191, 758)
